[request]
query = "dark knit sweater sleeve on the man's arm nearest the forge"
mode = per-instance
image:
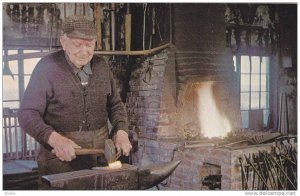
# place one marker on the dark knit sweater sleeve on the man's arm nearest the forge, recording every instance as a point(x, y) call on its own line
point(116, 108)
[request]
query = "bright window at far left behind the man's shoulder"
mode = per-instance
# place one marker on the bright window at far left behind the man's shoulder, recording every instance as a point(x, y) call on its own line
point(16, 75)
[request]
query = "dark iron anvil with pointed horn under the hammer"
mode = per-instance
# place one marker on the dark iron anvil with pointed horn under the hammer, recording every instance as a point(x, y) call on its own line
point(128, 177)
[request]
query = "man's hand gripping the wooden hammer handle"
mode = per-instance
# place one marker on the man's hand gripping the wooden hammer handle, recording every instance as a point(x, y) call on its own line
point(63, 147)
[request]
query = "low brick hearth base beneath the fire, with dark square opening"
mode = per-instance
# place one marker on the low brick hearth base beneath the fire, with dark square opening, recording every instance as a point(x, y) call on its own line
point(200, 163)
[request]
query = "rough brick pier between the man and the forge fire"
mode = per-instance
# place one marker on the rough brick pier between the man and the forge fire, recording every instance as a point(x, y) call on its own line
point(150, 100)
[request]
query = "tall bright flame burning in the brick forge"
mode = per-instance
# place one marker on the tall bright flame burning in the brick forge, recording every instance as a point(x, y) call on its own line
point(212, 122)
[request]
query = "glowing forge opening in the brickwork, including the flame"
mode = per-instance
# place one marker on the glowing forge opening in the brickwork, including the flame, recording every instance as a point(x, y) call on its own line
point(208, 111)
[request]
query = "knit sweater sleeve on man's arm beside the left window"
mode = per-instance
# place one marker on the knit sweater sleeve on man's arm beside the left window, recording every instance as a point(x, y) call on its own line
point(34, 104)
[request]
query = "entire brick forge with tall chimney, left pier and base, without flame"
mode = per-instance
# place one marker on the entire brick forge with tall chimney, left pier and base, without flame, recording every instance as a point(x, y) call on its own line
point(164, 115)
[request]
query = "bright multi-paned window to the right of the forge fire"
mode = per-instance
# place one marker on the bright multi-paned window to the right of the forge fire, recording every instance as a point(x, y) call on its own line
point(254, 85)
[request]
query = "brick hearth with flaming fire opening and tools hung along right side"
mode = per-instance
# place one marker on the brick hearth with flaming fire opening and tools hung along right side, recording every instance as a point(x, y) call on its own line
point(216, 152)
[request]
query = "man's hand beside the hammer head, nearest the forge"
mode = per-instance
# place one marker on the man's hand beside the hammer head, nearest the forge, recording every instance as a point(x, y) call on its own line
point(122, 142)
